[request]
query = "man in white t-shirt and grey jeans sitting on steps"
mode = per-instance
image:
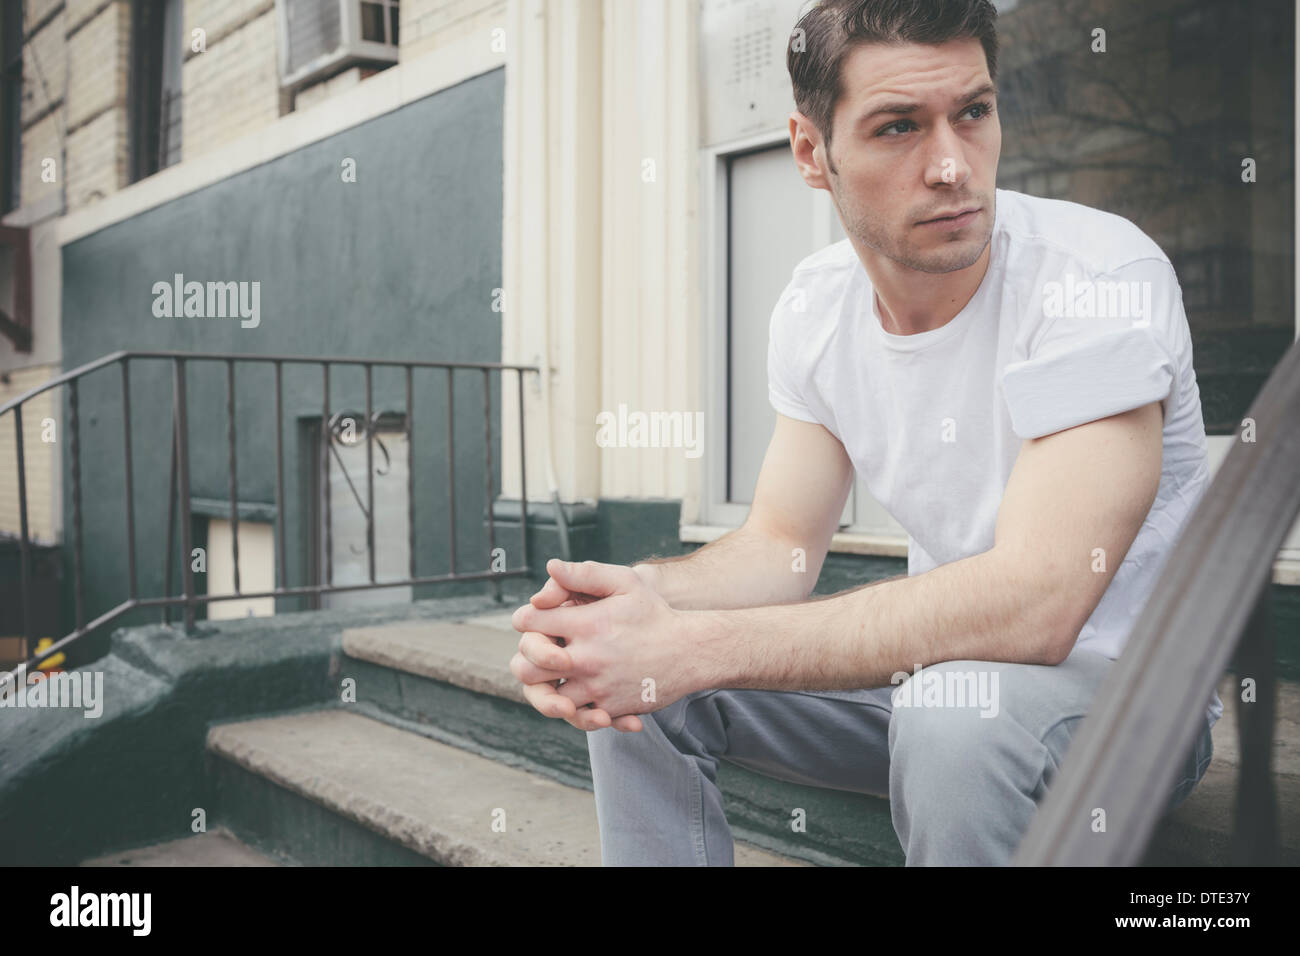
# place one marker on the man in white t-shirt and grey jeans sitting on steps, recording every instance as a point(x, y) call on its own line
point(1013, 380)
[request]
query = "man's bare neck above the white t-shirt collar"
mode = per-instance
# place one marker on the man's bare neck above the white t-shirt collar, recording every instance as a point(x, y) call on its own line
point(911, 302)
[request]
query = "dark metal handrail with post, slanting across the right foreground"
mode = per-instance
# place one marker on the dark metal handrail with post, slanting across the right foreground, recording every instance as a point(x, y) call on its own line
point(1212, 596)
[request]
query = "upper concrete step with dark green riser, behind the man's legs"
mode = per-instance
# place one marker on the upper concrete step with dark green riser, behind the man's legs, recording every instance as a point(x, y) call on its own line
point(452, 678)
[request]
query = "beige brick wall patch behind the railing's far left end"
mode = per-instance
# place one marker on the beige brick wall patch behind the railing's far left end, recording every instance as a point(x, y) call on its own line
point(42, 458)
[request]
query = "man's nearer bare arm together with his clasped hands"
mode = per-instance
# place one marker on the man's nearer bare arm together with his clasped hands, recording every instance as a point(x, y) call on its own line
point(1025, 600)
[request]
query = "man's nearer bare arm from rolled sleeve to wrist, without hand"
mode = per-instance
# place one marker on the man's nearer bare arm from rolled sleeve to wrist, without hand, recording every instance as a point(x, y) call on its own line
point(1025, 600)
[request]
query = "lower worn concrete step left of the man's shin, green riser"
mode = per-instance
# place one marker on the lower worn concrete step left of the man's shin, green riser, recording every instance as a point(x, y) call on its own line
point(335, 788)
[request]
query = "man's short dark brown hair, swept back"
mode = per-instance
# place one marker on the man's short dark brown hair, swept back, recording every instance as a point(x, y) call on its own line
point(834, 28)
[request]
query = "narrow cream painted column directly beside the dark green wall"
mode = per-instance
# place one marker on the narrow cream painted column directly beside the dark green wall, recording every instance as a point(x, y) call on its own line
point(552, 241)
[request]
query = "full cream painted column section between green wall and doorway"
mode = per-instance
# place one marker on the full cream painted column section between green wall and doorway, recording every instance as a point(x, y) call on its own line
point(601, 239)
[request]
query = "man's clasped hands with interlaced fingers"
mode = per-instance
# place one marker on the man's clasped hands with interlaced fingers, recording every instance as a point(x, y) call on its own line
point(600, 647)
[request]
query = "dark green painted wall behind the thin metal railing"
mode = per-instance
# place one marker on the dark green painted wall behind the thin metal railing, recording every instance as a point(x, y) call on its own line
point(401, 263)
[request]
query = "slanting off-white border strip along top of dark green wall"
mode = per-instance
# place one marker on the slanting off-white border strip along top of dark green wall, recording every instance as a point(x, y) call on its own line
point(374, 97)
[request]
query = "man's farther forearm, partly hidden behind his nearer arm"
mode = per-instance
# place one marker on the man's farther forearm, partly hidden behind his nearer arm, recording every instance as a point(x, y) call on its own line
point(742, 569)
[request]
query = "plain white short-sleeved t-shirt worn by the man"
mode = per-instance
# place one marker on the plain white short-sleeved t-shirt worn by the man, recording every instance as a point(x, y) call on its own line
point(1078, 318)
